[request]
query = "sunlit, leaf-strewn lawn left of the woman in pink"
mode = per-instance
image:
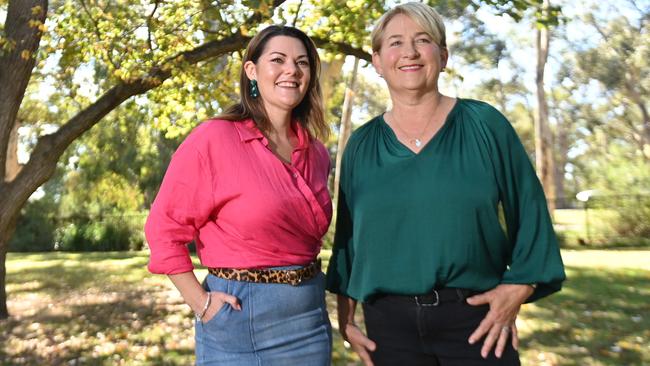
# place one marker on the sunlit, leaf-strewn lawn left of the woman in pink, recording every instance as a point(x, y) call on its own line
point(92, 309)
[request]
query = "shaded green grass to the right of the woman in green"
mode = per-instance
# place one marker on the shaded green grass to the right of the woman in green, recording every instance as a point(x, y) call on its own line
point(600, 315)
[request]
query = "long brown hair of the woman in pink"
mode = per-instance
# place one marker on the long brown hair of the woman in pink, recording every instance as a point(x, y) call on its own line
point(309, 113)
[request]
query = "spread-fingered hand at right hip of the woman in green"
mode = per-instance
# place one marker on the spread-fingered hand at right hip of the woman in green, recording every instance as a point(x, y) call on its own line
point(505, 301)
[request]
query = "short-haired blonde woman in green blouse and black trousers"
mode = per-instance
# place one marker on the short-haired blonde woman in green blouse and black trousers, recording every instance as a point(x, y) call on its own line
point(418, 239)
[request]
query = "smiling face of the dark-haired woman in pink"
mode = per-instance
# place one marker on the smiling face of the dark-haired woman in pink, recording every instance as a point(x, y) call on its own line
point(282, 74)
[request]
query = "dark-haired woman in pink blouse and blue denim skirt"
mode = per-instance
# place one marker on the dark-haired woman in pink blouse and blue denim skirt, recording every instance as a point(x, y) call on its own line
point(250, 188)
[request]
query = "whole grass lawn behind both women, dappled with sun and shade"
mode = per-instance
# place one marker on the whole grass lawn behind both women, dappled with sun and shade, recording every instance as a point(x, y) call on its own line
point(106, 309)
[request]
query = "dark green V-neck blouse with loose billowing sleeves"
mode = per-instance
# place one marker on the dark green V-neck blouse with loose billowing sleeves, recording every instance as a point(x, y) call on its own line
point(408, 223)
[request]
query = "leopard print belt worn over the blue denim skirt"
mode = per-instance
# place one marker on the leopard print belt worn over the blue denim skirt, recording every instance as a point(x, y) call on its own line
point(287, 276)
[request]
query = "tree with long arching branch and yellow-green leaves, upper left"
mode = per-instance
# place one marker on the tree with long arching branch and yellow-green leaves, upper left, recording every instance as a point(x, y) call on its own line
point(97, 54)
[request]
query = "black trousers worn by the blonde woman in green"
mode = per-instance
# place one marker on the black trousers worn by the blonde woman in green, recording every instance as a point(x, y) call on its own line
point(409, 333)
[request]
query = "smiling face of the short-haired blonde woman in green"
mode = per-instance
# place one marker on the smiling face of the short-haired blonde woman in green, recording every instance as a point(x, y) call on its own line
point(409, 59)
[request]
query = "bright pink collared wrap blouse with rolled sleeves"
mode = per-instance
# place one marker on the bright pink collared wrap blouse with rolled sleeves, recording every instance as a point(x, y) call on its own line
point(244, 207)
